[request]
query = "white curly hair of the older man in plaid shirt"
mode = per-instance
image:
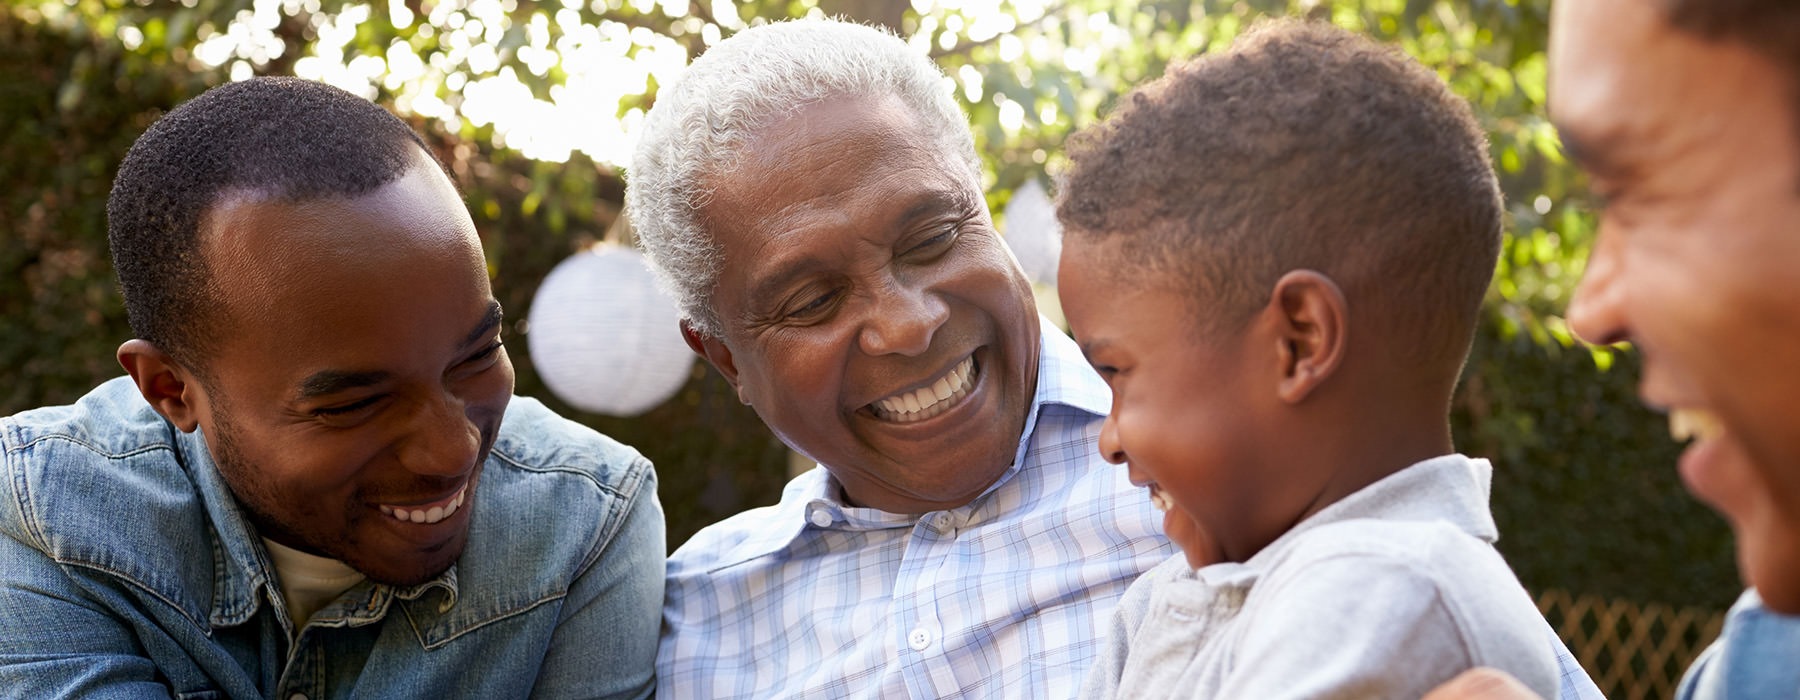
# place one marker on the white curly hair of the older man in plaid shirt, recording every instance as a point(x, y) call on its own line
point(699, 125)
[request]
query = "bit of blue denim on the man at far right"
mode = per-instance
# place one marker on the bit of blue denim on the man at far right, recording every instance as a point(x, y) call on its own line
point(1758, 656)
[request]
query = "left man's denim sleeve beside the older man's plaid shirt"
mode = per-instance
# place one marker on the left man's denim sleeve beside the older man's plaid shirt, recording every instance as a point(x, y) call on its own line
point(606, 643)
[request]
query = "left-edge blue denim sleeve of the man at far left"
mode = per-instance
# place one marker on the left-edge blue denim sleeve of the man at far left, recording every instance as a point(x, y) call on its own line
point(57, 642)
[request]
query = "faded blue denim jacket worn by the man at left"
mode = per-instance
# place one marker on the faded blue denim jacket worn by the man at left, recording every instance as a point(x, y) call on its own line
point(127, 570)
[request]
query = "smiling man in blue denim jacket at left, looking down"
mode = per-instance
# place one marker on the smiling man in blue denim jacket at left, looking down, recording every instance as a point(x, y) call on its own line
point(316, 481)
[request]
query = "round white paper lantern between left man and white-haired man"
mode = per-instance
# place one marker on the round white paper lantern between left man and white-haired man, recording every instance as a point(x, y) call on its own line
point(604, 337)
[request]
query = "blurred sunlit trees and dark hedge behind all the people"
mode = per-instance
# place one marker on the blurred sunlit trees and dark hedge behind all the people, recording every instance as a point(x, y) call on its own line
point(535, 109)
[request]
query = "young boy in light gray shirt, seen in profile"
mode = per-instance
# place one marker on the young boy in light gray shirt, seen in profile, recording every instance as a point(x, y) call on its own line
point(1277, 258)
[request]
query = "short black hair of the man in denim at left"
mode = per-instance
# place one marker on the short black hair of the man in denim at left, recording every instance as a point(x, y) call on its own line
point(276, 138)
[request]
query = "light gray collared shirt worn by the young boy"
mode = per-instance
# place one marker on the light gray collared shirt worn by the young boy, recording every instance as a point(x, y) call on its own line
point(1383, 595)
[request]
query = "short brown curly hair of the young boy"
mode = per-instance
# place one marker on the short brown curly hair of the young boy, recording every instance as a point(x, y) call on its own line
point(1304, 147)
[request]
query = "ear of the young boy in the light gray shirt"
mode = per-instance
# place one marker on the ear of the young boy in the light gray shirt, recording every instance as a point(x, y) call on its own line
point(1313, 332)
